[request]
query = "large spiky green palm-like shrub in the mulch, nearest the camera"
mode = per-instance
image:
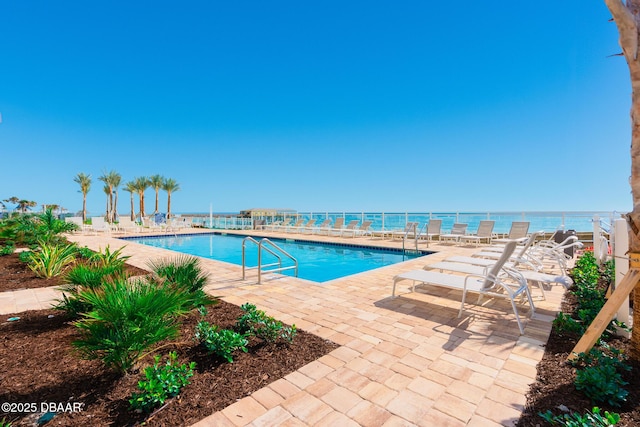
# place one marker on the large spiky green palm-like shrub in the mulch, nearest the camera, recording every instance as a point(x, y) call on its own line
point(126, 320)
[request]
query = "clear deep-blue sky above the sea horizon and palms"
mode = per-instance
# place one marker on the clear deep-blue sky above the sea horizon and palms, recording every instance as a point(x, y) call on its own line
point(332, 105)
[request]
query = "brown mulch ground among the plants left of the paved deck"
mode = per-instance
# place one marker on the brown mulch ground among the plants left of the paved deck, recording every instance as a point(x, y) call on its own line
point(38, 365)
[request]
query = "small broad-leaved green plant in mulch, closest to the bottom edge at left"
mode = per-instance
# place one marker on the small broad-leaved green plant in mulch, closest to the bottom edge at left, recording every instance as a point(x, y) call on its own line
point(162, 382)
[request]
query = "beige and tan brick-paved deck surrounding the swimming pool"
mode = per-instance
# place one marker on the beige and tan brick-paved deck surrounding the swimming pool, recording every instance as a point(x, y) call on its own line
point(402, 361)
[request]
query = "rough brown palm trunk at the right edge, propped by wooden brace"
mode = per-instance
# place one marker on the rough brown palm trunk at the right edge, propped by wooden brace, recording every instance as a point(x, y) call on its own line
point(627, 19)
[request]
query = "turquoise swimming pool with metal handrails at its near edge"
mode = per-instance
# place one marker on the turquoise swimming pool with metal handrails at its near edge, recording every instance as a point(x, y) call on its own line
point(318, 262)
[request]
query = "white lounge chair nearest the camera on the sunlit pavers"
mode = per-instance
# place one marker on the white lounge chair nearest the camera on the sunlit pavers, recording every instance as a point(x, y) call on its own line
point(499, 281)
